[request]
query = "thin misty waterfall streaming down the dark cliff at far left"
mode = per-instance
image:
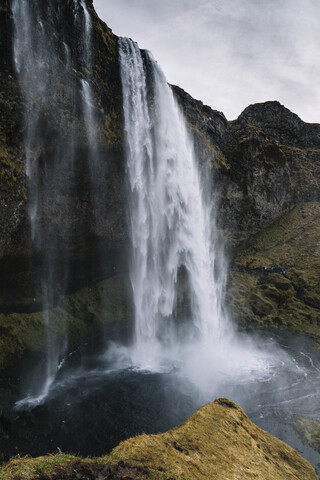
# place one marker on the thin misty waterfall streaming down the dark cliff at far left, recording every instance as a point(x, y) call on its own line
point(44, 63)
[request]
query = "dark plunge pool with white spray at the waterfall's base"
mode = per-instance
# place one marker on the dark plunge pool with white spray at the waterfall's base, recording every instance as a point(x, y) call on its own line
point(90, 408)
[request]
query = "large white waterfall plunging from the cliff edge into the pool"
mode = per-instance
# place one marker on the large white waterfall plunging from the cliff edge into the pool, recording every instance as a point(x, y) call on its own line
point(172, 225)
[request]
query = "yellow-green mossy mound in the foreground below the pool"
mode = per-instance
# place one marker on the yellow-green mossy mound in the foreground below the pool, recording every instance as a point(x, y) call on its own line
point(218, 441)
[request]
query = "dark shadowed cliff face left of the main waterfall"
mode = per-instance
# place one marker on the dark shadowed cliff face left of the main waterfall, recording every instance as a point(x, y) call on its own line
point(56, 119)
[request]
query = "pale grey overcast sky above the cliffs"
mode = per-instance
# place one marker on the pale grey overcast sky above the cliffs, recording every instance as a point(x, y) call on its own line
point(230, 53)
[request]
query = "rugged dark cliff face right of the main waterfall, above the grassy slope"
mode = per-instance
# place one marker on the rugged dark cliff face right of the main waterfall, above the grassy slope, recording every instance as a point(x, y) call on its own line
point(265, 162)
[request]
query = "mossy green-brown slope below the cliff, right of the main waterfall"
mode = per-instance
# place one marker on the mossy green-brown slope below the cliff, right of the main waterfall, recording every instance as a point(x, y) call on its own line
point(267, 299)
